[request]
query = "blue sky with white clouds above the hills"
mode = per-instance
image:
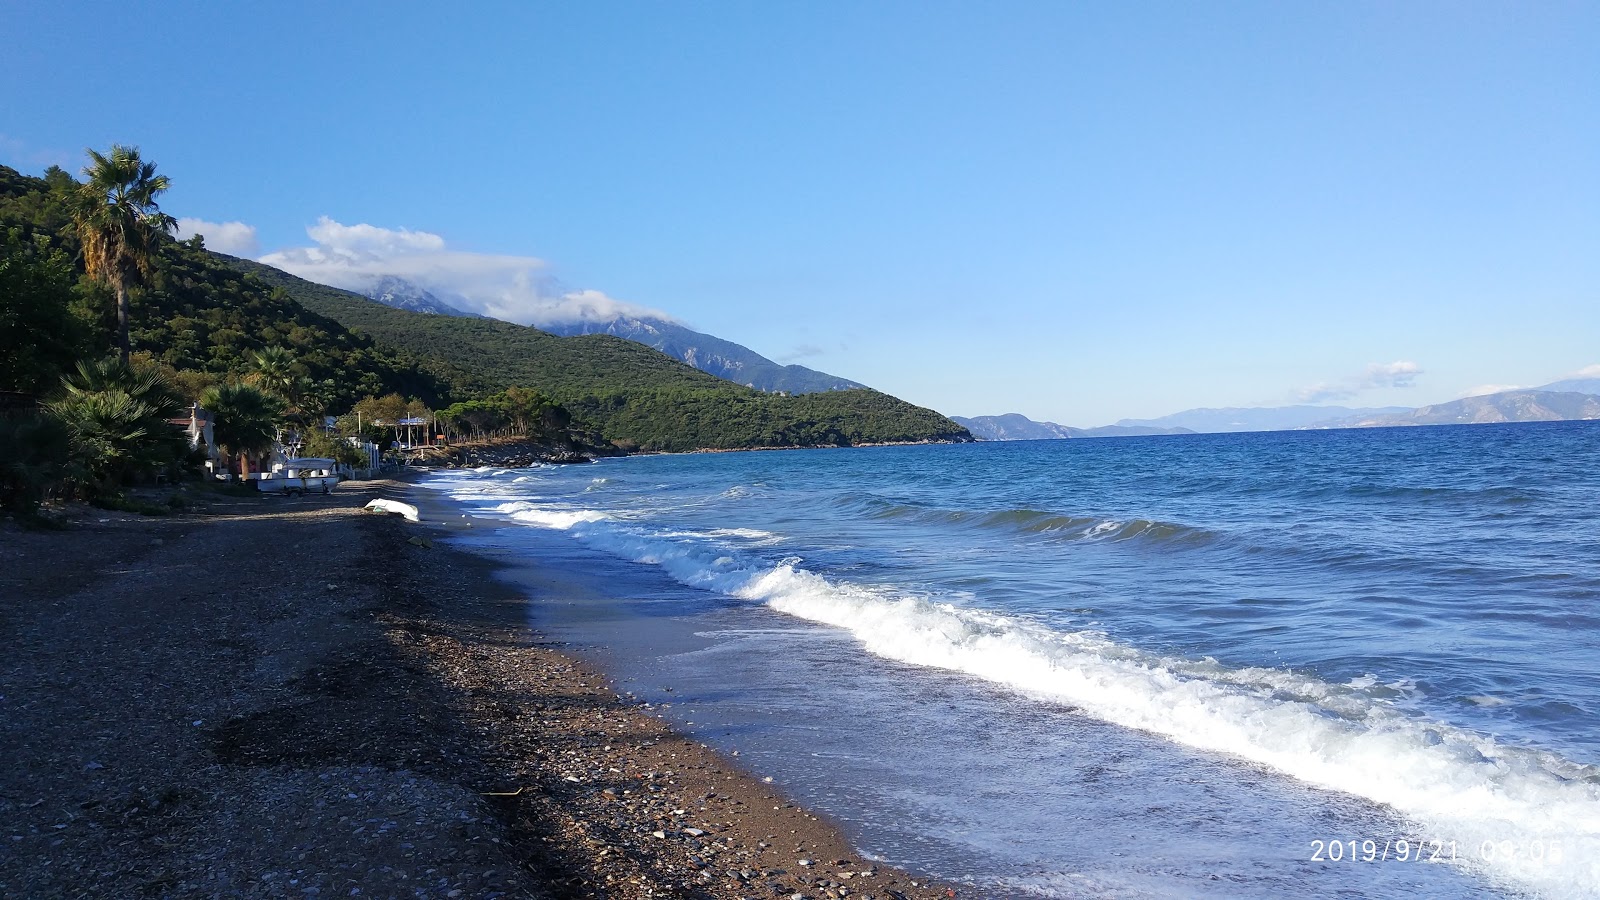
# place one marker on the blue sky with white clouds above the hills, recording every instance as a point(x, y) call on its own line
point(1081, 212)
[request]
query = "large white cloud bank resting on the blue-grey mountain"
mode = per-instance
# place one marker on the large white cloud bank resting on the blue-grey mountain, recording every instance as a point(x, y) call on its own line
point(516, 289)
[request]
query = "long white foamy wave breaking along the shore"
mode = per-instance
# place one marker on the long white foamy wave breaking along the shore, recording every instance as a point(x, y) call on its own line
point(1522, 819)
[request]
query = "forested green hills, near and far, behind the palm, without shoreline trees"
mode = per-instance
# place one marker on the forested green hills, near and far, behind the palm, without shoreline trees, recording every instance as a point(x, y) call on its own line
point(206, 319)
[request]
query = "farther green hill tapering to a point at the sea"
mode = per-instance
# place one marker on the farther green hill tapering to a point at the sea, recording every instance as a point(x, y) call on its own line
point(634, 395)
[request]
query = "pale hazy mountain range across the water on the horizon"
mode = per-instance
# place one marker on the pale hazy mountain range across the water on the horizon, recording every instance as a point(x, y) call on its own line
point(1559, 401)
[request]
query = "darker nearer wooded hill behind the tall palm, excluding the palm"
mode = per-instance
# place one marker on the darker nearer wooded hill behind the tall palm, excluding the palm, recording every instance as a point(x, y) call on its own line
point(198, 318)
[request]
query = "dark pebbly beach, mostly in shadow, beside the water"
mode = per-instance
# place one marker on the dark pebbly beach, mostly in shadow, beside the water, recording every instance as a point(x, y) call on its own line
point(273, 697)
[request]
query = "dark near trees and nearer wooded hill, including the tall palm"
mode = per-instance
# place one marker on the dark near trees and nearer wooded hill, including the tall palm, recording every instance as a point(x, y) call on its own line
point(92, 392)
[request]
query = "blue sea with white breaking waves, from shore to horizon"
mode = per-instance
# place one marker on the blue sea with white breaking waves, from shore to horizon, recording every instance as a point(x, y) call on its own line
point(1356, 664)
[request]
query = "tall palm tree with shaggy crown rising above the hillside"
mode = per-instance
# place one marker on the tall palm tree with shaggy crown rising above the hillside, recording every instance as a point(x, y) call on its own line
point(118, 222)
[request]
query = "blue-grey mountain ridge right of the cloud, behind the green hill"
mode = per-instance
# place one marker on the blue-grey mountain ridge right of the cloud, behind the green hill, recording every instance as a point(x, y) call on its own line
point(708, 353)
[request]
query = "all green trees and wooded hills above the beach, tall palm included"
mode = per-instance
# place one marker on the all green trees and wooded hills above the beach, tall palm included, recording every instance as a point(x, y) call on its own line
point(89, 268)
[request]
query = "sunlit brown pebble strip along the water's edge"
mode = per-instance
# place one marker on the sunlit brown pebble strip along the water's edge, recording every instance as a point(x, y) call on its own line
point(706, 811)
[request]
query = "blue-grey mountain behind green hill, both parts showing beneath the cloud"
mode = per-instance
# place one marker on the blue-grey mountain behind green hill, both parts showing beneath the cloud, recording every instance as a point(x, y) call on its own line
point(706, 353)
